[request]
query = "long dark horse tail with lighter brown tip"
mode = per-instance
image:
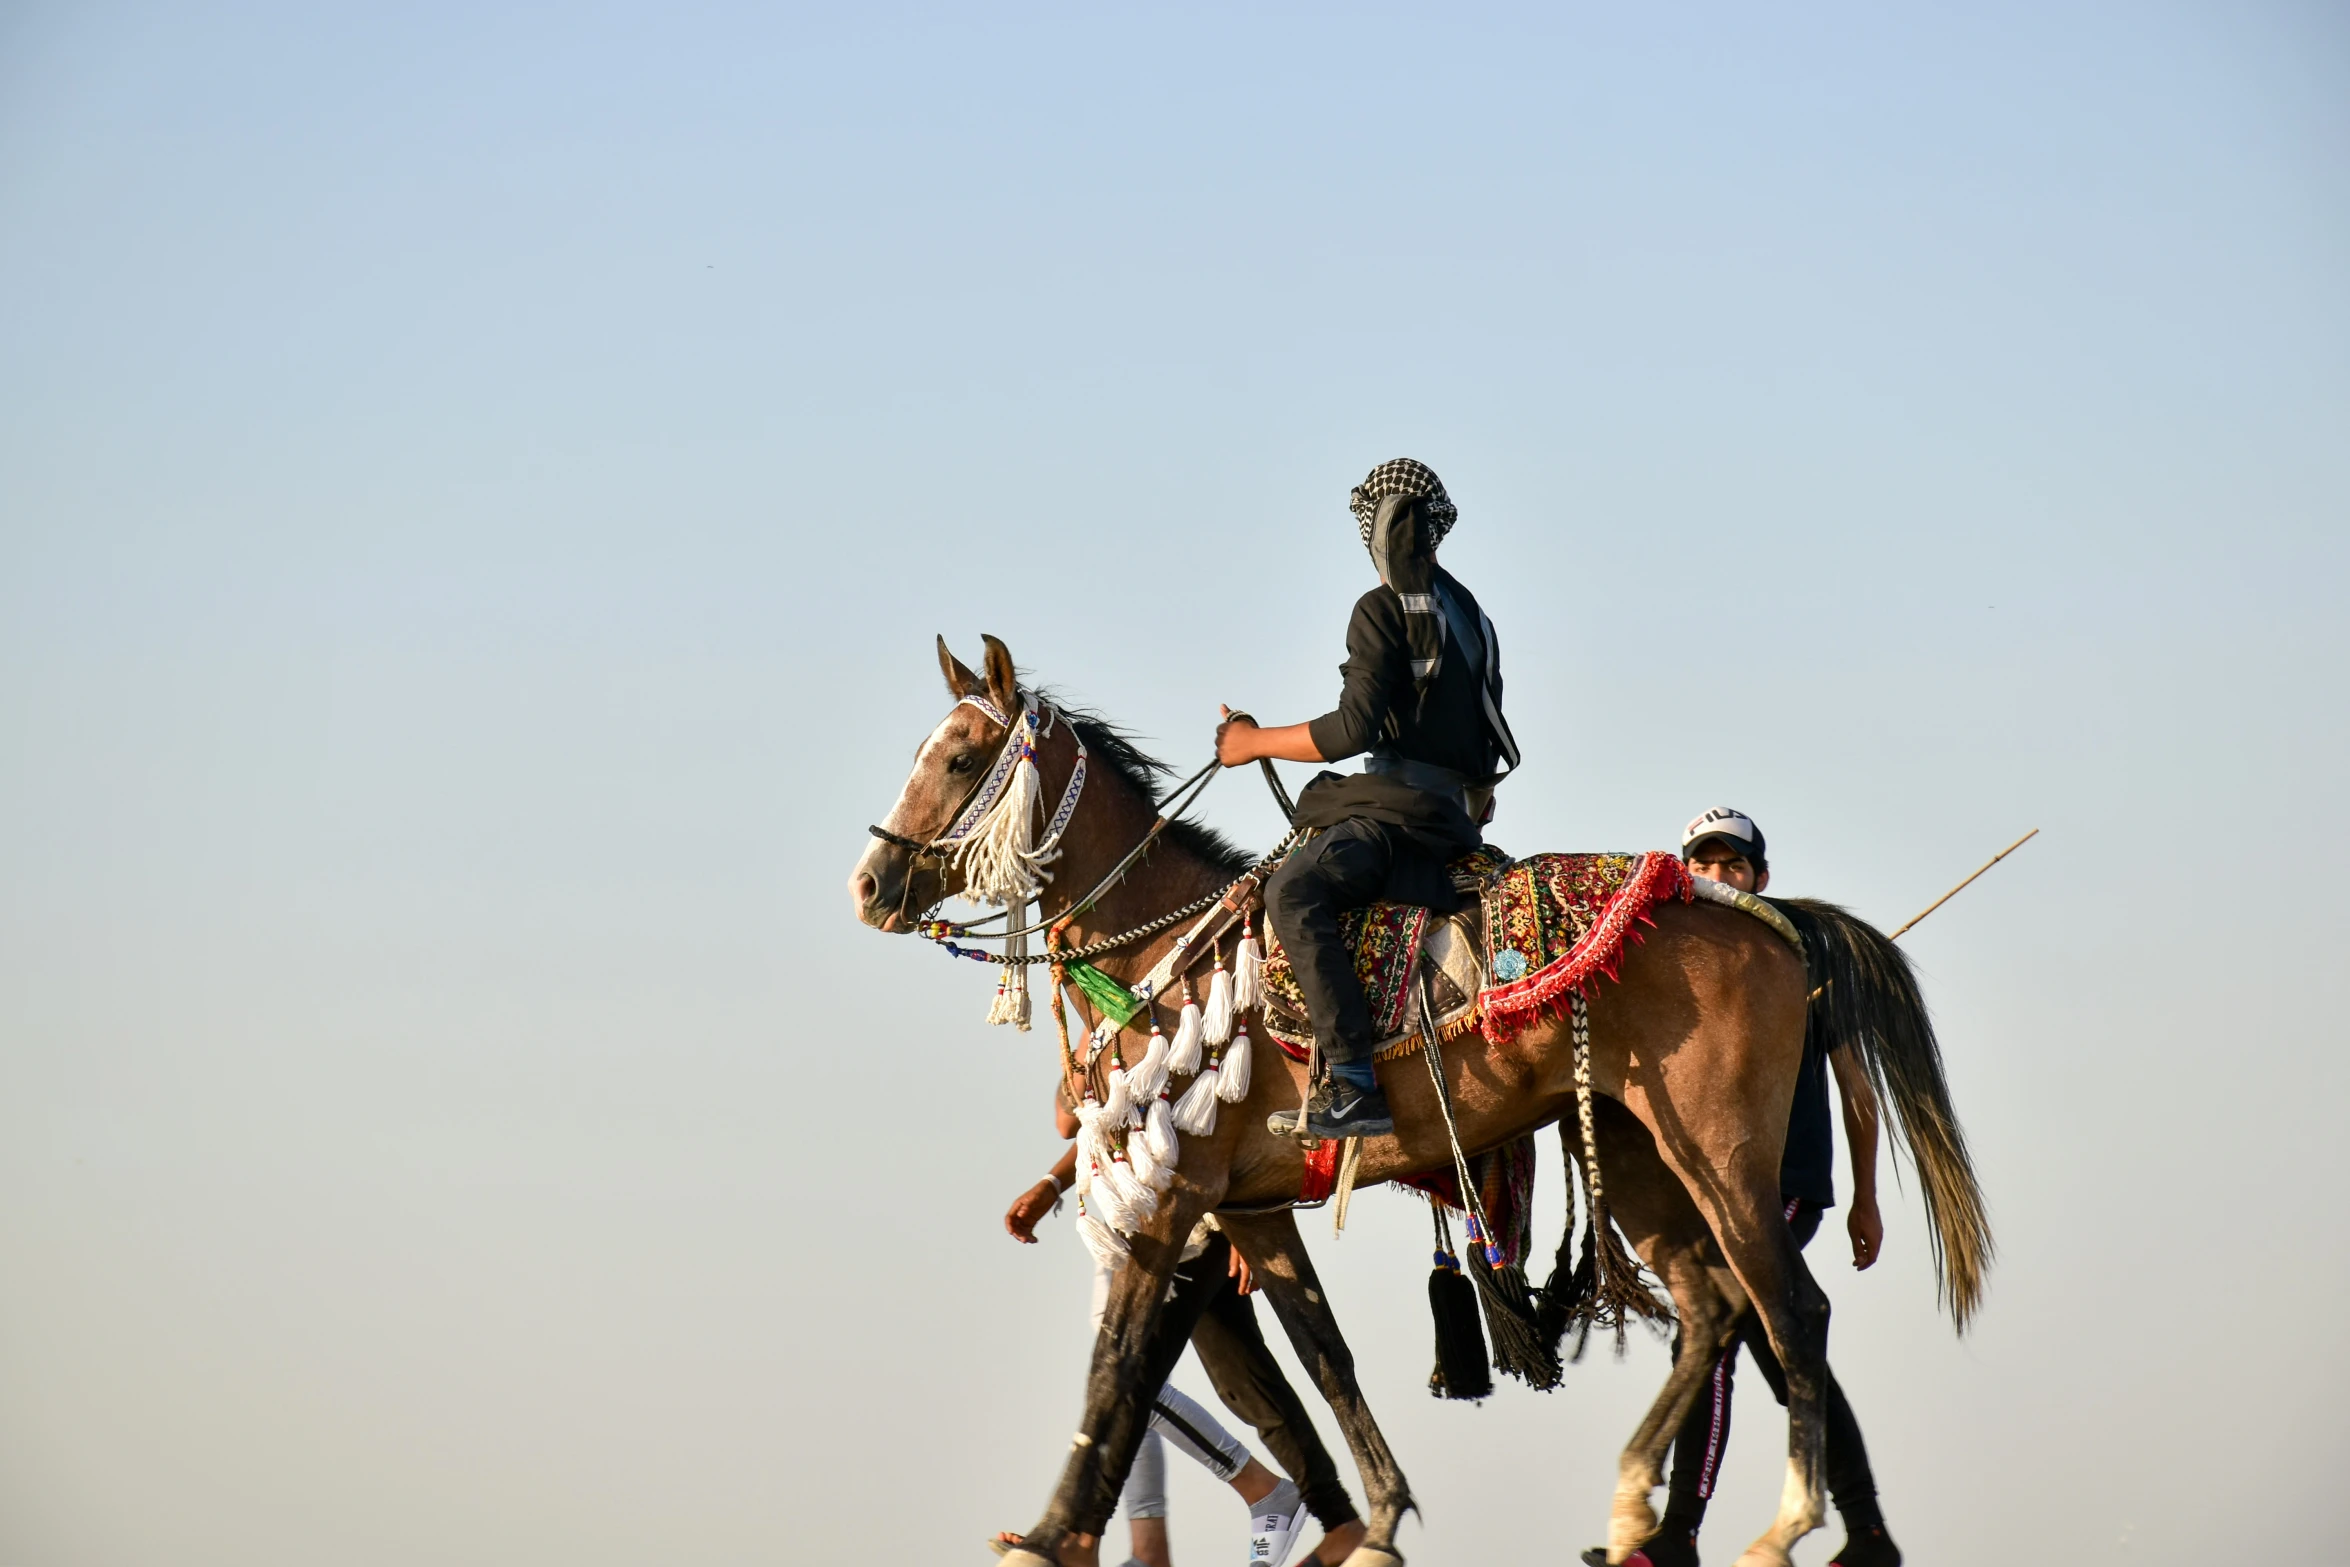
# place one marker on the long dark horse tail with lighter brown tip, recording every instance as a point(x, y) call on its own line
point(1867, 997)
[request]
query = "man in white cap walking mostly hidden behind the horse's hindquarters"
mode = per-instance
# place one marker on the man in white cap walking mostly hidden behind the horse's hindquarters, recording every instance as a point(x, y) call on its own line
point(1726, 847)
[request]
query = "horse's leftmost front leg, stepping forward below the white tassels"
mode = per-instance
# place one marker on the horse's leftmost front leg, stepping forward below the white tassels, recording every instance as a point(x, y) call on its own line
point(1127, 1376)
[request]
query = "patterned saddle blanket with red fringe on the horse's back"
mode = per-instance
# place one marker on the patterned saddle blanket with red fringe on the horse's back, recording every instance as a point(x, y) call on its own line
point(1536, 934)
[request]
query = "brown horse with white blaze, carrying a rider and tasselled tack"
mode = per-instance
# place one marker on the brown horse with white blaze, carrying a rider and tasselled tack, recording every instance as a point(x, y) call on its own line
point(1696, 1054)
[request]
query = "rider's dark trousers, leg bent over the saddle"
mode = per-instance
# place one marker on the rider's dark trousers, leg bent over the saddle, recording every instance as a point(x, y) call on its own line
point(1345, 868)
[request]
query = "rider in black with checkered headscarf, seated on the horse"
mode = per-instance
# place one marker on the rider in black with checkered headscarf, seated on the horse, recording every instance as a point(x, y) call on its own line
point(1423, 694)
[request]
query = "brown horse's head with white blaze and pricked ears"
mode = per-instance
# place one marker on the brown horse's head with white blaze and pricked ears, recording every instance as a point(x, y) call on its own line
point(897, 880)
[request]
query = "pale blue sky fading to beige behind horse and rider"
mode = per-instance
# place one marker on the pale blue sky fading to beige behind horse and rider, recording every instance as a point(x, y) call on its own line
point(478, 487)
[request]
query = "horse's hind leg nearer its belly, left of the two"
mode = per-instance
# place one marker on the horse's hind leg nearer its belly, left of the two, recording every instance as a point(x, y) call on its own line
point(1665, 1228)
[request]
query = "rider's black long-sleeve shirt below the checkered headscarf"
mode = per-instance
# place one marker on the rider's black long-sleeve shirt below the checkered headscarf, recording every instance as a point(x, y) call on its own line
point(1378, 708)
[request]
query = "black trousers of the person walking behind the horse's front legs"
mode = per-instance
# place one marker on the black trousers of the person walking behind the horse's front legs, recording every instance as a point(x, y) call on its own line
point(1211, 1314)
